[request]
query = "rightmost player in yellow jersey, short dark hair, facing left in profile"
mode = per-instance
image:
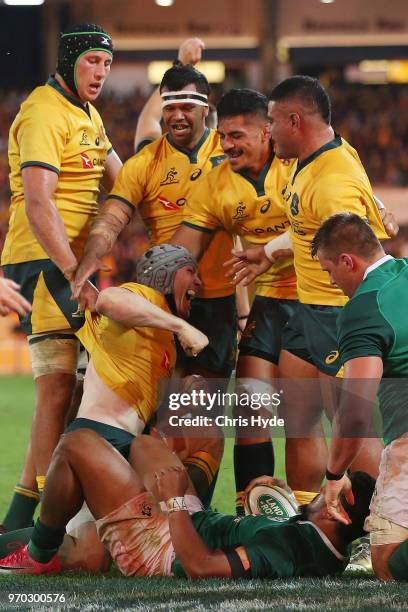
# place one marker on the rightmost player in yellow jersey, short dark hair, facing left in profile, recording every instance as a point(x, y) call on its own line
point(328, 178)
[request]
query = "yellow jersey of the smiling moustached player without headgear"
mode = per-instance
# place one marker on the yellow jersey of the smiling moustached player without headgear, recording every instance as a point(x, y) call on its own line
point(248, 208)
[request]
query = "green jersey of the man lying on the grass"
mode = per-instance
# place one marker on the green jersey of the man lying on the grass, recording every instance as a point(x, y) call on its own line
point(275, 549)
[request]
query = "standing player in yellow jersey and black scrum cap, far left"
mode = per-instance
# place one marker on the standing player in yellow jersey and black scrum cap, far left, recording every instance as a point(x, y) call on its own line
point(59, 154)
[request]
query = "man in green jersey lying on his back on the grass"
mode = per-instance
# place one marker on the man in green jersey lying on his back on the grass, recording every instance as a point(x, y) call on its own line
point(152, 523)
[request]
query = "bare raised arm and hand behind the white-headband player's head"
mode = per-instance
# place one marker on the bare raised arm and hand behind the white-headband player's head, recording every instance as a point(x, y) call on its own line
point(148, 125)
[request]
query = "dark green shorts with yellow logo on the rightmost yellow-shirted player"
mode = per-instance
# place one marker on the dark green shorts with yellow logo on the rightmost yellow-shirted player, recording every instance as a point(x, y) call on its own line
point(311, 335)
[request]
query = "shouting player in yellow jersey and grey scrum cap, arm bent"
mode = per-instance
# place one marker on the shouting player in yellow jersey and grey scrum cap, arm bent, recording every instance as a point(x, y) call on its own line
point(130, 341)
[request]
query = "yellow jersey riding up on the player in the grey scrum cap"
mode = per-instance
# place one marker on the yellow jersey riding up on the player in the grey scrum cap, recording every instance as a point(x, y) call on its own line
point(131, 362)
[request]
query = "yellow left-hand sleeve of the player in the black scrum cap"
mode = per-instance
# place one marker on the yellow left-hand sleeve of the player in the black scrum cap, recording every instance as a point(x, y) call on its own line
point(41, 136)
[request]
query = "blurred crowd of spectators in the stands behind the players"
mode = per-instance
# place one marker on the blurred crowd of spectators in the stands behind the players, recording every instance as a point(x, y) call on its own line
point(374, 119)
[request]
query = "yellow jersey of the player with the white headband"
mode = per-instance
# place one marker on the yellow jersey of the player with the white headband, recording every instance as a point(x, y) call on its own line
point(159, 181)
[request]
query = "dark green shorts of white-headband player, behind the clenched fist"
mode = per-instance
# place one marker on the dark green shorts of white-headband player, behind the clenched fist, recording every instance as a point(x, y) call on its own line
point(217, 318)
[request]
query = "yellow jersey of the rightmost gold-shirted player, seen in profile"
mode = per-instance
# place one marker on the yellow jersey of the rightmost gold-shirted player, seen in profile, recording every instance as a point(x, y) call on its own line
point(330, 181)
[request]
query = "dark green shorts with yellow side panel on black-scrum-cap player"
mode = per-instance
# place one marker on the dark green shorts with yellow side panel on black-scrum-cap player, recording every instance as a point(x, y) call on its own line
point(46, 288)
